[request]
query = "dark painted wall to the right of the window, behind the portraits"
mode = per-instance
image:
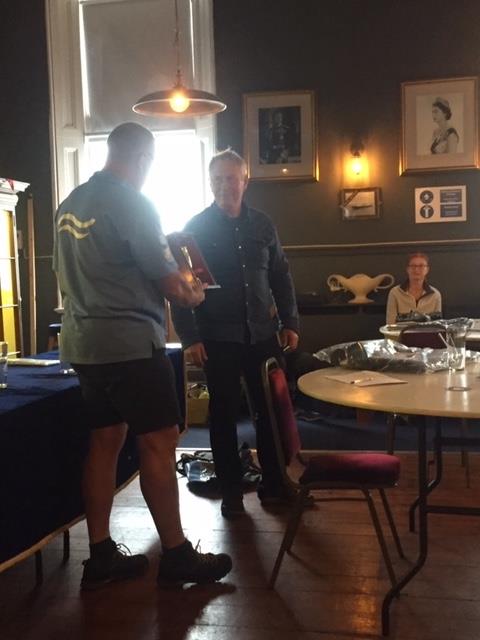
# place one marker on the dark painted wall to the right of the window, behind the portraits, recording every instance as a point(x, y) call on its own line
point(354, 54)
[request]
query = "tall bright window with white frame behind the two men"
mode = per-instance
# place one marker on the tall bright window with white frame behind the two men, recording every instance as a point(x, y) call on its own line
point(104, 55)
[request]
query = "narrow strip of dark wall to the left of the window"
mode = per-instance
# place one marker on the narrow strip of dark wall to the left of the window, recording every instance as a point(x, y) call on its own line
point(25, 143)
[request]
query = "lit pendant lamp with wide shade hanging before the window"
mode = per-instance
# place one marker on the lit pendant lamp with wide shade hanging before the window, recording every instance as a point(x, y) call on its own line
point(179, 101)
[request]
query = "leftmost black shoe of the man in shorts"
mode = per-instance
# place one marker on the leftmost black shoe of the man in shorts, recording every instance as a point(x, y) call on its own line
point(121, 565)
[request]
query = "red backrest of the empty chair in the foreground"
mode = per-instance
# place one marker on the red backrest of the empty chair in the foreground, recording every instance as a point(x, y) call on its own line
point(281, 414)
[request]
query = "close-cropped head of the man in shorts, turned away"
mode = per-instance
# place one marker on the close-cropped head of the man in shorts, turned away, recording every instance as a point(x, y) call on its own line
point(130, 153)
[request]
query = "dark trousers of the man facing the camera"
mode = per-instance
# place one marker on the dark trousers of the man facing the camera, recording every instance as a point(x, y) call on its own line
point(227, 362)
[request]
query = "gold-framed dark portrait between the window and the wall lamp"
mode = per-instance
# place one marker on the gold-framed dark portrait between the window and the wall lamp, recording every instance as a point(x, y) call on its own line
point(279, 135)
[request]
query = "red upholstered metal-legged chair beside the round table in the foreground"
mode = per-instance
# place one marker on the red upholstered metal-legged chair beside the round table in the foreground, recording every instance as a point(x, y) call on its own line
point(330, 471)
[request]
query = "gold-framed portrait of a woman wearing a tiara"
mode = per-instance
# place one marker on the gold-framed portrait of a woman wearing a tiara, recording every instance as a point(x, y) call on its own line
point(439, 125)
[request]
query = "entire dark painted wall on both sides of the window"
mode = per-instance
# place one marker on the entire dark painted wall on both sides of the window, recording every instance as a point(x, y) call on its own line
point(354, 54)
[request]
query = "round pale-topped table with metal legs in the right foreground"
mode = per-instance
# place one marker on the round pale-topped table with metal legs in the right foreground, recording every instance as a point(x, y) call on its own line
point(441, 394)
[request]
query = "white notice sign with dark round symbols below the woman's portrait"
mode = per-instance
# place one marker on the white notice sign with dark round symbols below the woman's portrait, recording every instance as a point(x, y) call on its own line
point(441, 204)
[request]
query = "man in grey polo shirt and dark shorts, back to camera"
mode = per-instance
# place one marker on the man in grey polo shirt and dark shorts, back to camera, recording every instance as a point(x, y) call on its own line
point(114, 269)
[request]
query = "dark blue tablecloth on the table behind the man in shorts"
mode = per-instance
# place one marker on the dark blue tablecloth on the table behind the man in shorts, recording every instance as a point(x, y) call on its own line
point(43, 442)
